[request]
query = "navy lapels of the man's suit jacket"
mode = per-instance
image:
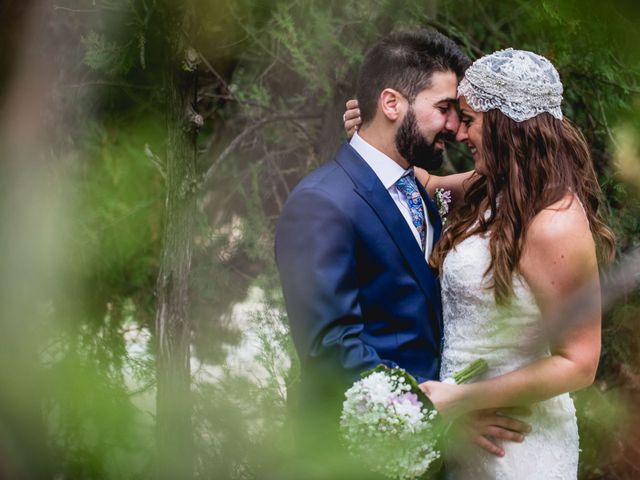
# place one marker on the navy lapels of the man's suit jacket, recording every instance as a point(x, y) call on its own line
point(370, 188)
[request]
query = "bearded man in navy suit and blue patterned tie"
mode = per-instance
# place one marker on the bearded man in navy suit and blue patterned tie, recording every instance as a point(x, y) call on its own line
point(354, 236)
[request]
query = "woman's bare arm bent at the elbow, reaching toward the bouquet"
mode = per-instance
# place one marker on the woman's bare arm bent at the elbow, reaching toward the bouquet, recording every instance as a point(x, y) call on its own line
point(558, 259)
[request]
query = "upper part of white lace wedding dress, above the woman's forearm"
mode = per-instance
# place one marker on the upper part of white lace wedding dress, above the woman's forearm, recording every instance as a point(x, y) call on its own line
point(475, 326)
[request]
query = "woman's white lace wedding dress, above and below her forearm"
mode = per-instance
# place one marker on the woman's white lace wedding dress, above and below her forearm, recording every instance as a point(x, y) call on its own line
point(474, 327)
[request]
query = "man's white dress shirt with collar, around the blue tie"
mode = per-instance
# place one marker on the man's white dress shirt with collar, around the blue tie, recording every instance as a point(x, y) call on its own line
point(389, 172)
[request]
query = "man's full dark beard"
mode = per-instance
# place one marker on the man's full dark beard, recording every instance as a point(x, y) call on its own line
point(414, 148)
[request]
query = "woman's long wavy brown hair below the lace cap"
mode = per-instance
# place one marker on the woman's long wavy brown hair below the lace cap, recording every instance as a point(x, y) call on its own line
point(531, 164)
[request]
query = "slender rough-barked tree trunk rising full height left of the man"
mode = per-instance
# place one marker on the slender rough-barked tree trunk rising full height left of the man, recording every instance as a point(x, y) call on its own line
point(173, 403)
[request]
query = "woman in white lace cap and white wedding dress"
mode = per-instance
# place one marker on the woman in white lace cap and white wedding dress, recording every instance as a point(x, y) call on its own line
point(521, 240)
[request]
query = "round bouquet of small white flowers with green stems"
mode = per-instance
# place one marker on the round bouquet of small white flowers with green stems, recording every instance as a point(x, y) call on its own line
point(390, 424)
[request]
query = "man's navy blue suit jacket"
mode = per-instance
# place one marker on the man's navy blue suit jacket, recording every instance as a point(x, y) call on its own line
point(357, 288)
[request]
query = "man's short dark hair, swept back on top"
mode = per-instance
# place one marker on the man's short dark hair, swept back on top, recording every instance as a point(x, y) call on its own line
point(405, 61)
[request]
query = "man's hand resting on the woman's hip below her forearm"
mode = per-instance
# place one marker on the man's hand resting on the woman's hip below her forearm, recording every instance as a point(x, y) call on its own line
point(488, 428)
